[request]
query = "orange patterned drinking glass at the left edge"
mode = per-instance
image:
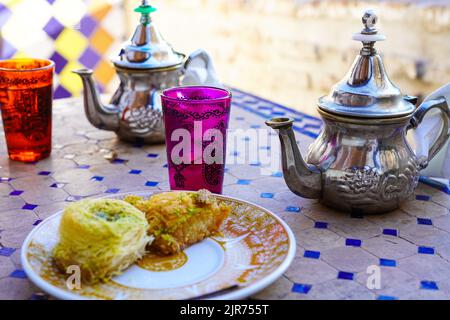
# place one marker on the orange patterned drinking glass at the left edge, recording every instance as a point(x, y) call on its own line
point(26, 96)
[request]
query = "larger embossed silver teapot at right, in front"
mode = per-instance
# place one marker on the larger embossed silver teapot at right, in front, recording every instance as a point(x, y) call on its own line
point(361, 161)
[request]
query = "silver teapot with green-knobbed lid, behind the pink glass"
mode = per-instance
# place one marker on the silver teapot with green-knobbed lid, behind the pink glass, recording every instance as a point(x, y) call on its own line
point(146, 66)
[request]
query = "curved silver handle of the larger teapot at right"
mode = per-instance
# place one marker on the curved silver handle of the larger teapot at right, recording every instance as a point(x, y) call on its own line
point(430, 104)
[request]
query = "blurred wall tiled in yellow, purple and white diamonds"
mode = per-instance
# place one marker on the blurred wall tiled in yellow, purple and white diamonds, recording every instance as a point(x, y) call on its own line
point(73, 33)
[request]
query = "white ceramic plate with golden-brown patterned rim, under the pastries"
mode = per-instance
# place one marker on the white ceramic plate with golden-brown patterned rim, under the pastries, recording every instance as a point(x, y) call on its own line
point(254, 249)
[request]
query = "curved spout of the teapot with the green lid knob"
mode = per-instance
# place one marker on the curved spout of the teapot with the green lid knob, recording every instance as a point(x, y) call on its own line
point(99, 115)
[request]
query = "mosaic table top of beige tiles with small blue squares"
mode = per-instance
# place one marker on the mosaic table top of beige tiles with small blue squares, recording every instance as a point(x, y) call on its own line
point(334, 250)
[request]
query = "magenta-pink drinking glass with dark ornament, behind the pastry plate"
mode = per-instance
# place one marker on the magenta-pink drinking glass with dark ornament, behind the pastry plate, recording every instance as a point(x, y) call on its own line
point(196, 120)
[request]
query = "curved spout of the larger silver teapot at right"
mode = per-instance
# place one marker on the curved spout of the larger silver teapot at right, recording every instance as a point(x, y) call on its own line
point(302, 179)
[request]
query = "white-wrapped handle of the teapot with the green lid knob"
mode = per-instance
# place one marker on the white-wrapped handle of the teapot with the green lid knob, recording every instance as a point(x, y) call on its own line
point(199, 70)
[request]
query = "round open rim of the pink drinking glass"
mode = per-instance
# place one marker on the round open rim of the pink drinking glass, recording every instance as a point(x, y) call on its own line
point(222, 94)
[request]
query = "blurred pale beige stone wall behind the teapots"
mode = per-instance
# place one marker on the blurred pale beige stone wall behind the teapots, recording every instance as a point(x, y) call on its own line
point(294, 51)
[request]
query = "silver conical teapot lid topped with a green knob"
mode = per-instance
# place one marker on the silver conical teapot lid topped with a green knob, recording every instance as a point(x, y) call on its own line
point(147, 49)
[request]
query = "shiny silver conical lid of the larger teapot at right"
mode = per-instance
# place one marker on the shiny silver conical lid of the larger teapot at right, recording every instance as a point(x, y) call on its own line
point(367, 91)
